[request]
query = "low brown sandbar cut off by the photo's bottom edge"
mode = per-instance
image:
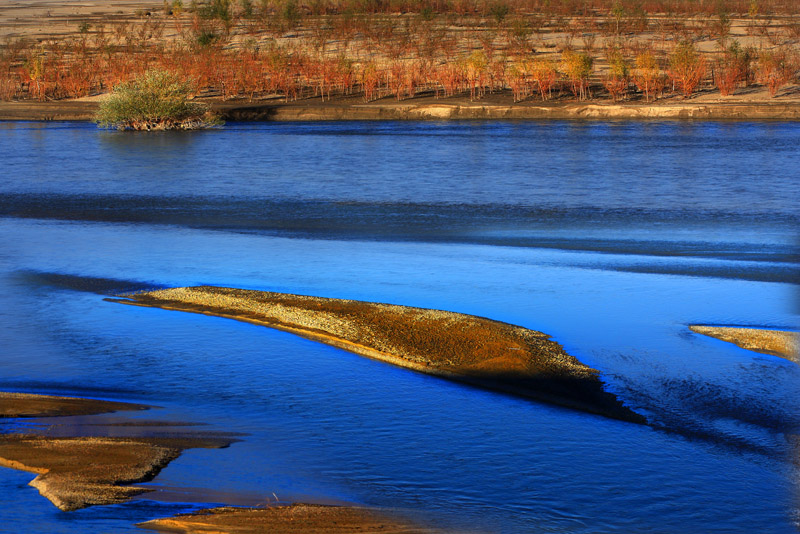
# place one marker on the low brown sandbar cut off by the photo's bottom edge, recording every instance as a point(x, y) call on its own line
point(295, 519)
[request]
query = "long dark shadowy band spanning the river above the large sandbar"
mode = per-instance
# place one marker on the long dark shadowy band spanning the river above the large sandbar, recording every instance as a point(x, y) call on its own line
point(665, 241)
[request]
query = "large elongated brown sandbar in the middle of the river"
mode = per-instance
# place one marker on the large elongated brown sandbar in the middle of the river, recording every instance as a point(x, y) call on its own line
point(461, 347)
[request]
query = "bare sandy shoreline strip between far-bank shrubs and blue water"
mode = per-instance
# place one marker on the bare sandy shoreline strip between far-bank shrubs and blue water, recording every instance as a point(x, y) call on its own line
point(430, 108)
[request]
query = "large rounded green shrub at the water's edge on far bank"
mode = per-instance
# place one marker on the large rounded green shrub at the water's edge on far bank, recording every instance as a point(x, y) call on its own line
point(155, 100)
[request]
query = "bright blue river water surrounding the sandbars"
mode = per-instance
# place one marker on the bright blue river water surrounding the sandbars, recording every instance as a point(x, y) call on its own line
point(610, 237)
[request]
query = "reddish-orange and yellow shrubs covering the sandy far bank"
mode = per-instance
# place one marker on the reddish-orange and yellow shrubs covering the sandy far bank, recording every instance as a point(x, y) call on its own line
point(533, 49)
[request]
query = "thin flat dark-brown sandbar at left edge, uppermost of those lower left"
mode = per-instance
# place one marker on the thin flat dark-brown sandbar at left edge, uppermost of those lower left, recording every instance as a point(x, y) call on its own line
point(29, 405)
